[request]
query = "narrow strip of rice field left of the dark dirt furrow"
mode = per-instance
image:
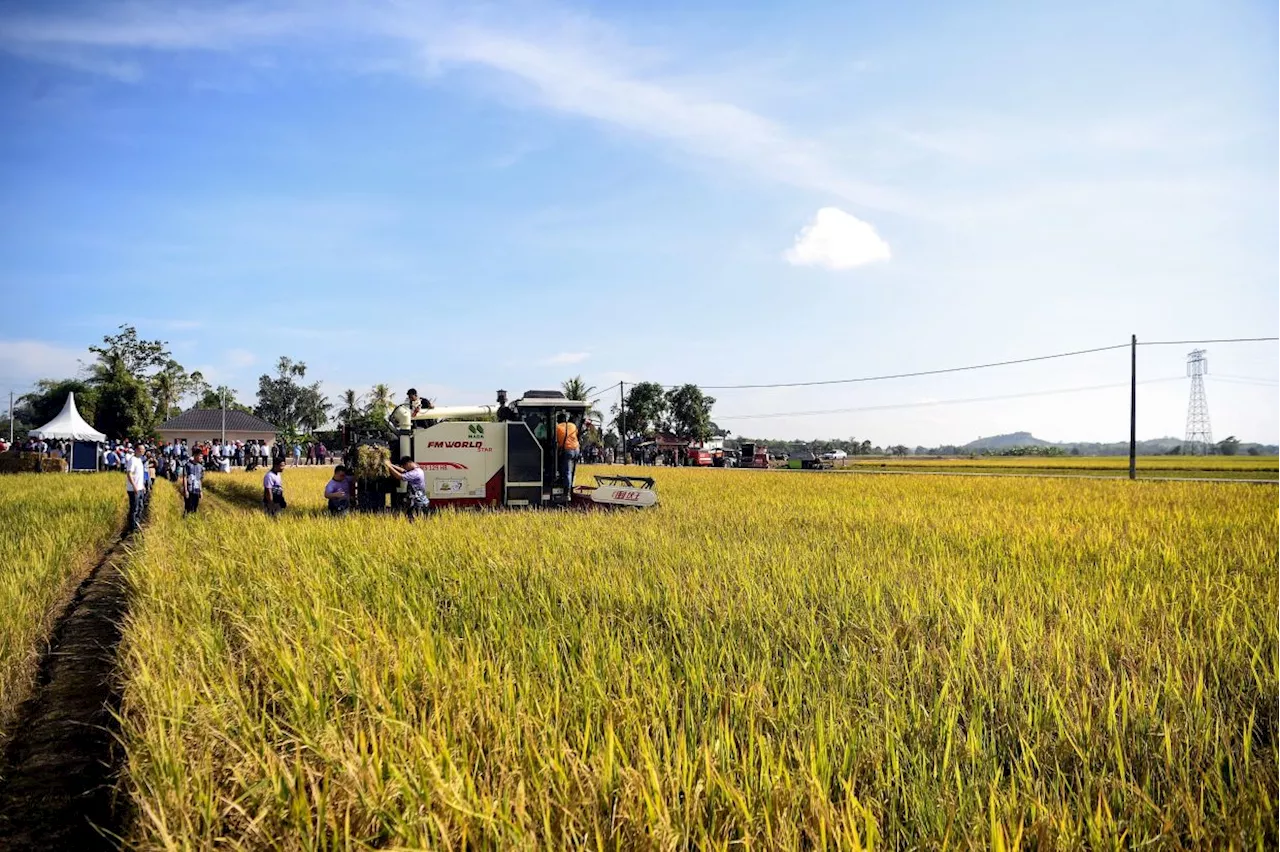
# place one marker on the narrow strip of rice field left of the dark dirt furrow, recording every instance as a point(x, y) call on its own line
point(54, 528)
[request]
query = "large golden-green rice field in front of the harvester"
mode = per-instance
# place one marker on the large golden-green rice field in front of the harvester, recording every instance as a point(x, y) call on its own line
point(766, 661)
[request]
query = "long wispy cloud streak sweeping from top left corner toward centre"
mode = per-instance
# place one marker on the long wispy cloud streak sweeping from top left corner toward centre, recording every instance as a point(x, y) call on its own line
point(565, 63)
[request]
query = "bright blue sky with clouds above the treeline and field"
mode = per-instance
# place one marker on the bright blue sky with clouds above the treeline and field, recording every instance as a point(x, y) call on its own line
point(464, 198)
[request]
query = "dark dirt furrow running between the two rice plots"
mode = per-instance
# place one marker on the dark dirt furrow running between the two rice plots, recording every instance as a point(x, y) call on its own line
point(58, 773)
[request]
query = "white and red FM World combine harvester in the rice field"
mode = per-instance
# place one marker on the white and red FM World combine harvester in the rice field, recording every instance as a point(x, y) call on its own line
point(472, 461)
